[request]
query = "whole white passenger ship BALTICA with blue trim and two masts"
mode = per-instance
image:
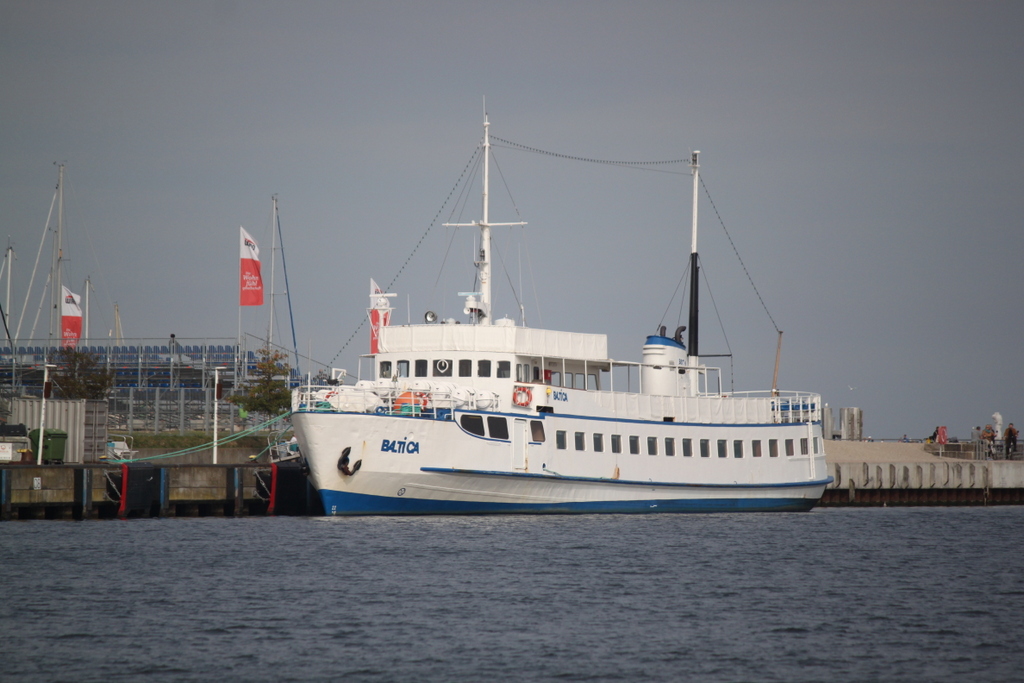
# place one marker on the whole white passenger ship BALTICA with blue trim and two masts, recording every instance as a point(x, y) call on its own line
point(493, 417)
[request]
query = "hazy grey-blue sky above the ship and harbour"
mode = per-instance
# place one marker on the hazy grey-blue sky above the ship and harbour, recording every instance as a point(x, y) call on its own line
point(864, 158)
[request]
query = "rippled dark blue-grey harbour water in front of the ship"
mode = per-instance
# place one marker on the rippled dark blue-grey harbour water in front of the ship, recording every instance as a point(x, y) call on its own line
point(899, 594)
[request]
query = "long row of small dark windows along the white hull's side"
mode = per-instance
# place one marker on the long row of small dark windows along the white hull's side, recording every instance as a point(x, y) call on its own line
point(741, 449)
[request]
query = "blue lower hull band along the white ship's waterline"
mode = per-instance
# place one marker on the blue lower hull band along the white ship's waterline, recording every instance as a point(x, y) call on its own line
point(342, 503)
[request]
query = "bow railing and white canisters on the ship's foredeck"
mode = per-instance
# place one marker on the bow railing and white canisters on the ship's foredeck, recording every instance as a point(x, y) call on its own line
point(421, 400)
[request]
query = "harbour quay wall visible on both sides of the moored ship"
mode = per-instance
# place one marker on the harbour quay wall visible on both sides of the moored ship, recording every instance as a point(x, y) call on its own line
point(864, 474)
